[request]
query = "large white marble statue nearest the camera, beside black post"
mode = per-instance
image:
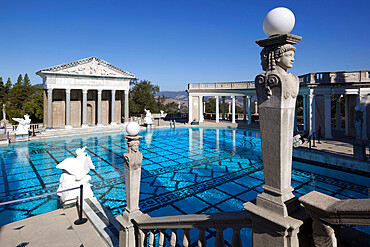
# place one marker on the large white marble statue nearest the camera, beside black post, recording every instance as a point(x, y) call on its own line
point(75, 173)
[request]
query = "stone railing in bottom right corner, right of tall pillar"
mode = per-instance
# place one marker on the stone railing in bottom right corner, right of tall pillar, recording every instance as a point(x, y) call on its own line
point(328, 213)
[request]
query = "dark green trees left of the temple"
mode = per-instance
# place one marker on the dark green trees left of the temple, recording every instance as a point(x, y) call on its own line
point(20, 99)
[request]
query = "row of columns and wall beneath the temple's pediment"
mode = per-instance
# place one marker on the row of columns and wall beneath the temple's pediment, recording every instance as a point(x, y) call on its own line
point(110, 109)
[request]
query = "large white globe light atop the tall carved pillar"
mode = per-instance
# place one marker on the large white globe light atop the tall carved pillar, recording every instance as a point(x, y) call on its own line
point(278, 21)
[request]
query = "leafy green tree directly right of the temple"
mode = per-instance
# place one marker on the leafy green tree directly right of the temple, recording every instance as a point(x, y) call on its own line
point(142, 96)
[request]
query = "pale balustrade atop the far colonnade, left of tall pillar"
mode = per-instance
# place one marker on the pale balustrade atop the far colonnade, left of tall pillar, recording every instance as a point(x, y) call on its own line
point(222, 85)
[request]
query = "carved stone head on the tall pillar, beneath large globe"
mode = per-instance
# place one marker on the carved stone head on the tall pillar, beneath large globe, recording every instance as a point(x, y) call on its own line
point(280, 55)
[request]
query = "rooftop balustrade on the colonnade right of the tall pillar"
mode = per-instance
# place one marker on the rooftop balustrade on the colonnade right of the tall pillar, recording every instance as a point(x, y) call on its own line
point(336, 77)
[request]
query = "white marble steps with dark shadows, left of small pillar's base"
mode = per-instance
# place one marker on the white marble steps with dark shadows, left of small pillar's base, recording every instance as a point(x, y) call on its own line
point(102, 220)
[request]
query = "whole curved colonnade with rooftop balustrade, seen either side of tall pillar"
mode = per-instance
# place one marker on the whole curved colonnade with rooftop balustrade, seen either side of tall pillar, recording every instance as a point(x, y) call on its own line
point(318, 90)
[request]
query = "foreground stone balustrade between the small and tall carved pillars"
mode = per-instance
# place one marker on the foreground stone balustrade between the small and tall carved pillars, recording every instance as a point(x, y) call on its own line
point(219, 221)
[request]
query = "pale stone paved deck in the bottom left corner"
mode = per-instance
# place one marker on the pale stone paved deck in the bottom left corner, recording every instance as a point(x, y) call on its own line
point(55, 228)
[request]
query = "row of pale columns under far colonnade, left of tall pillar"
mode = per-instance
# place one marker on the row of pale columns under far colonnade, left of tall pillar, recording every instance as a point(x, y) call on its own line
point(197, 107)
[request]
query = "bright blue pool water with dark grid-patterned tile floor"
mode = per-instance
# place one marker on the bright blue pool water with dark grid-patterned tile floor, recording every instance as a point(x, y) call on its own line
point(187, 170)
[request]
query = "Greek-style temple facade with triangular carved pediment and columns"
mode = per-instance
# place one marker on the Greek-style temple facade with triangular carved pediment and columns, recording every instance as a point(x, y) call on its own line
point(87, 92)
